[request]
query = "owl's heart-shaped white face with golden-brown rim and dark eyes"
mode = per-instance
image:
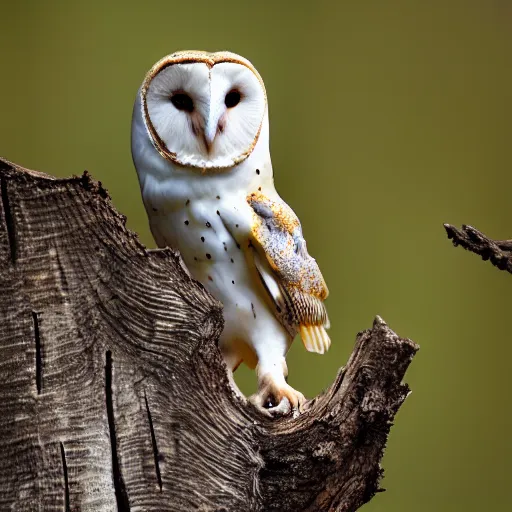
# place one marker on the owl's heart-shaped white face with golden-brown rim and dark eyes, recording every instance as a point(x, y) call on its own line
point(203, 110)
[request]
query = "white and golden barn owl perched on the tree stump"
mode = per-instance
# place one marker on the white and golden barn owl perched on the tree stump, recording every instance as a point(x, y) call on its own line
point(200, 145)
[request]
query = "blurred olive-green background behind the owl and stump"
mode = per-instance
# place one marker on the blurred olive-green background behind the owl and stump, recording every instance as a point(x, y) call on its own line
point(387, 119)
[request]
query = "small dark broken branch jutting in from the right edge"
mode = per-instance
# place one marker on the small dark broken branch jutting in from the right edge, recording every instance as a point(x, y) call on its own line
point(498, 252)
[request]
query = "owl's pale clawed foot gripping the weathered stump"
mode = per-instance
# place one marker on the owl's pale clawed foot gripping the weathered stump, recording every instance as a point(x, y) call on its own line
point(276, 397)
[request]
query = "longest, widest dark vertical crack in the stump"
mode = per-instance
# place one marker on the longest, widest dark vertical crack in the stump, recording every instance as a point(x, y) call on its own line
point(119, 486)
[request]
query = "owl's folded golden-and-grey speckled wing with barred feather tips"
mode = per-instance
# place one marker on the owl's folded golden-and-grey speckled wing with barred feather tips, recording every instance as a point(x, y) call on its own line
point(290, 275)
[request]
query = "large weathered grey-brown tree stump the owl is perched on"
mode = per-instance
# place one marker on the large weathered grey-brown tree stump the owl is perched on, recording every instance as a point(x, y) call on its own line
point(113, 395)
